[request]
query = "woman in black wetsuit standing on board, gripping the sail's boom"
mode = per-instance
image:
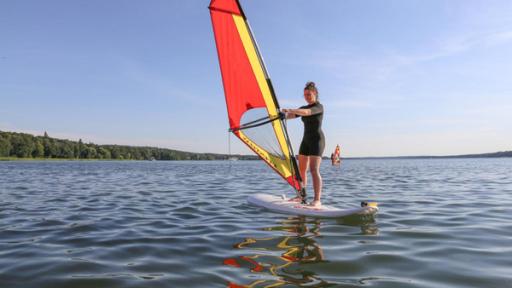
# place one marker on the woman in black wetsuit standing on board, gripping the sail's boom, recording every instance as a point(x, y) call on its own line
point(313, 141)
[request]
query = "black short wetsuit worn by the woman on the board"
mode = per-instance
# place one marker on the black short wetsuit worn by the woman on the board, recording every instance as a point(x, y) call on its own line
point(313, 142)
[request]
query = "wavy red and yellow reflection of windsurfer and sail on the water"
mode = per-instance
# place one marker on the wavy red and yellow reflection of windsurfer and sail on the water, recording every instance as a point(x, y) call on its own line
point(285, 259)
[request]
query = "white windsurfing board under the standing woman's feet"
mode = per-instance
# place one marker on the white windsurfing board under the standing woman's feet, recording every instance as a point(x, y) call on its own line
point(283, 205)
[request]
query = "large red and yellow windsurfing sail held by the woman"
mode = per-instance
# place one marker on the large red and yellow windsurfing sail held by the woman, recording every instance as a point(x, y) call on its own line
point(253, 109)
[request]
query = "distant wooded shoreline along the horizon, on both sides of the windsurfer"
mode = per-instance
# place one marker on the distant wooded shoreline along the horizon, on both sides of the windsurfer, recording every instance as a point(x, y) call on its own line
point(25, 147)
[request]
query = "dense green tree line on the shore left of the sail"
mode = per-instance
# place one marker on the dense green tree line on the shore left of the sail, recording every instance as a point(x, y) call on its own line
point(23, 145)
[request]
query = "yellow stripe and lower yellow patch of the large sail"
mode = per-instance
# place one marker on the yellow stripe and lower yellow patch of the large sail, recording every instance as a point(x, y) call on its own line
point(282, 165)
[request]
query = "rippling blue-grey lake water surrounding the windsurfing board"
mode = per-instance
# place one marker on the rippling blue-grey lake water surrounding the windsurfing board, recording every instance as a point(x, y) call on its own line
point(442, 223)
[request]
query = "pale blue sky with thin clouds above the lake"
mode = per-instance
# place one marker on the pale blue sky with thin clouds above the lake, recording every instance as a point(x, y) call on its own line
point(396, 78)
